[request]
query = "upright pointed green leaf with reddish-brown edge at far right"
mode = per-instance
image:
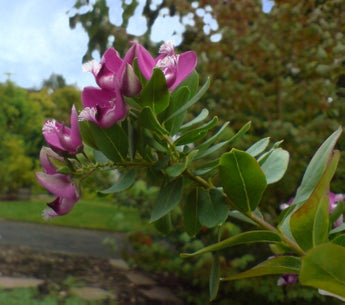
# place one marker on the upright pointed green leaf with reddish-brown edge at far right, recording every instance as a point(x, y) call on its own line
point(309, 224)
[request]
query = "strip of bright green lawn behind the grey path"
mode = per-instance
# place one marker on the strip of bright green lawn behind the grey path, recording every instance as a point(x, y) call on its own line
point(93, 214)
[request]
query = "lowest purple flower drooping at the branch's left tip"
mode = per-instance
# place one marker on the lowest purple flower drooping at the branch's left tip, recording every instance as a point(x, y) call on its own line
point(60, 185)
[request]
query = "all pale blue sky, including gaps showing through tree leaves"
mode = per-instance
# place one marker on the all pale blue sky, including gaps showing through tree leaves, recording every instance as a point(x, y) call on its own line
point(36, 41)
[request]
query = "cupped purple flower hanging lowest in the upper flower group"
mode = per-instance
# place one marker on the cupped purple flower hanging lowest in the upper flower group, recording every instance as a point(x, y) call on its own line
point(103, 107)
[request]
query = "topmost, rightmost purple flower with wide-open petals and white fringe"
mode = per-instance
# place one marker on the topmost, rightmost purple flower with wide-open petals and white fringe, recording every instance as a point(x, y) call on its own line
point(176, 67)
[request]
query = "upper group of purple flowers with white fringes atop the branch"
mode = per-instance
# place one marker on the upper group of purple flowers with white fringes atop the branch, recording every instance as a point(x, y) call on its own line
point(116, 78)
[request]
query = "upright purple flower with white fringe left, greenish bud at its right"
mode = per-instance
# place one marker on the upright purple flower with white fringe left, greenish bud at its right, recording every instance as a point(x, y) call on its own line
point(113, 72)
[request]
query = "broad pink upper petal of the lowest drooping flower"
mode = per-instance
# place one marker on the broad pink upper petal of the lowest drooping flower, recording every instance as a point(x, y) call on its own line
point(58, 184)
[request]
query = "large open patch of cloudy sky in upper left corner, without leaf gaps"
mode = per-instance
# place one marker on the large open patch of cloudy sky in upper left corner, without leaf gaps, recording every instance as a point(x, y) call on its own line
point(36, 41)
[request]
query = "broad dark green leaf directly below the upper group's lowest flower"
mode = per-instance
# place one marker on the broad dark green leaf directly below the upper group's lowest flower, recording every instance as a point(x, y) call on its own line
point(112, 141)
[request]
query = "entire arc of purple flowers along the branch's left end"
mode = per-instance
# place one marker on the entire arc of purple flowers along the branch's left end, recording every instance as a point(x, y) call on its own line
point(104, 106)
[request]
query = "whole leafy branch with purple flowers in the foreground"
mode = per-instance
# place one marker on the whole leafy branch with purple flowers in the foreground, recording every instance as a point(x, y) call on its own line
point(136, 122)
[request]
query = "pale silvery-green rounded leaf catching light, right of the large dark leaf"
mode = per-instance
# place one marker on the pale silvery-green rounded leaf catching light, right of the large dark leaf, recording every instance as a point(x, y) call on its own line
point(275, 165)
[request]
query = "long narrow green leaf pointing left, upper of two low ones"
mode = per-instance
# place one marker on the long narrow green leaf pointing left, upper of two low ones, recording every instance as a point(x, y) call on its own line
point(242, 238)
